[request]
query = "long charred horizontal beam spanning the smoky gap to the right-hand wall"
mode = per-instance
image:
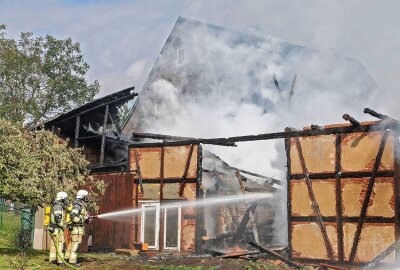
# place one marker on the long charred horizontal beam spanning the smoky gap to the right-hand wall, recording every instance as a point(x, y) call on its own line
point(378, 126)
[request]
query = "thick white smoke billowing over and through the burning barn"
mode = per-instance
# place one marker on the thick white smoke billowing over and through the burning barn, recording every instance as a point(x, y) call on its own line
point(222, 86)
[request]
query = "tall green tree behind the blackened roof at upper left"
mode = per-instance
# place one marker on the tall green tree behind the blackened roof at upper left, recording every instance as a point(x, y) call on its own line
point(40, 77)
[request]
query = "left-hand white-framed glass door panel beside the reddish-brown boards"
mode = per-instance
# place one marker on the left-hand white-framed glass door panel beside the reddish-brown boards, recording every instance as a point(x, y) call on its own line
point(150, 224)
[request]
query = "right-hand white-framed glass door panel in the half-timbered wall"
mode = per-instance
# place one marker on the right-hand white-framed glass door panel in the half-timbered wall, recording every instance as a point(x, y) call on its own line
point(172, 228)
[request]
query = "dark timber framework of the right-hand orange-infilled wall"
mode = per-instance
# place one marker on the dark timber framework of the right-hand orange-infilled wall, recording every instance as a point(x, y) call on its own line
point(388, 128)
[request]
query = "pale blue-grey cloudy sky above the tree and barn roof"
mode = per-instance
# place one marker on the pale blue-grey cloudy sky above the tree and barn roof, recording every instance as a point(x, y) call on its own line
point(122, 39)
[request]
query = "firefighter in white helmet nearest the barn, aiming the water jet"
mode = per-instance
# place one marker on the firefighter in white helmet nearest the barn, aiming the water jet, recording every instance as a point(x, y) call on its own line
point(79, 217)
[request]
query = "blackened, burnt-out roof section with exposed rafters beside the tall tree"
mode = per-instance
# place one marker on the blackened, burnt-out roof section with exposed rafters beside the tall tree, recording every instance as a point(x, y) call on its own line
point(97, 126)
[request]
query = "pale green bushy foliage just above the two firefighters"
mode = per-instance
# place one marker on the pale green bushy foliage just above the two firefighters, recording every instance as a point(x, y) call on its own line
point(35, 165)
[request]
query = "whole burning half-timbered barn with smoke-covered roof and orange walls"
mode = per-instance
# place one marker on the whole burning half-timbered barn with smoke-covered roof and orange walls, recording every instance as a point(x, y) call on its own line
point(327, 167)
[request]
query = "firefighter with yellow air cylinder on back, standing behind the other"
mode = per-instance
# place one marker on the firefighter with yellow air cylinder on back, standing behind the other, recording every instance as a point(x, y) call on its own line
point(57, 226)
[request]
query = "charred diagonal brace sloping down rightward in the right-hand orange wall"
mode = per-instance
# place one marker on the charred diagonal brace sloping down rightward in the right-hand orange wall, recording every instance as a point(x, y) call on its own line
point(315, 206)
